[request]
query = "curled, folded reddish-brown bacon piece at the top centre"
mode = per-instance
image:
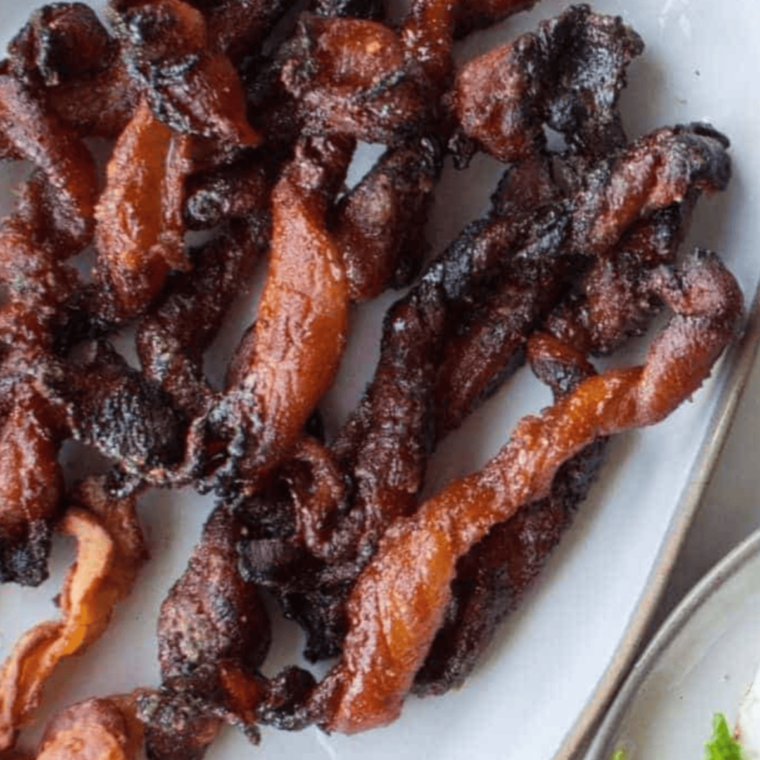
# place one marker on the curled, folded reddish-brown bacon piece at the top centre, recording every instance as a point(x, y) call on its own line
point(358, 77)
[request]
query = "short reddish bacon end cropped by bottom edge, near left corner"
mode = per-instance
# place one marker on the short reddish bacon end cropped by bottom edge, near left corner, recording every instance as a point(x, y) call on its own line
point(96, 729)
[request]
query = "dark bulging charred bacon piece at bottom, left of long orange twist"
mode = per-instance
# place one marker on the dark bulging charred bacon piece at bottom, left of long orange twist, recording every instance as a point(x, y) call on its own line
point(213, 634)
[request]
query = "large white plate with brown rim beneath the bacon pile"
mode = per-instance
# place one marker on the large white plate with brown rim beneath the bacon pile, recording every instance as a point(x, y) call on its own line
point(553, 666)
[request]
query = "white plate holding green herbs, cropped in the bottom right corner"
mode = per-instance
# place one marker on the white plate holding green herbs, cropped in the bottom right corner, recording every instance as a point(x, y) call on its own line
point(702, 661)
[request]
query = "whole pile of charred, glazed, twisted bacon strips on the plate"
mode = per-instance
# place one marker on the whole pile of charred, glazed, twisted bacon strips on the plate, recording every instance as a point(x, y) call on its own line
point(240, 118)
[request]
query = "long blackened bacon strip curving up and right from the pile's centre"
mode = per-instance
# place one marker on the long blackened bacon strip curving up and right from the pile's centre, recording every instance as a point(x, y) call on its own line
point(415, 331)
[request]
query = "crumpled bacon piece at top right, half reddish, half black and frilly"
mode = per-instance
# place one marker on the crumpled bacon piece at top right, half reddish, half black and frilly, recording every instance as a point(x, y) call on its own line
point(567, 76)
